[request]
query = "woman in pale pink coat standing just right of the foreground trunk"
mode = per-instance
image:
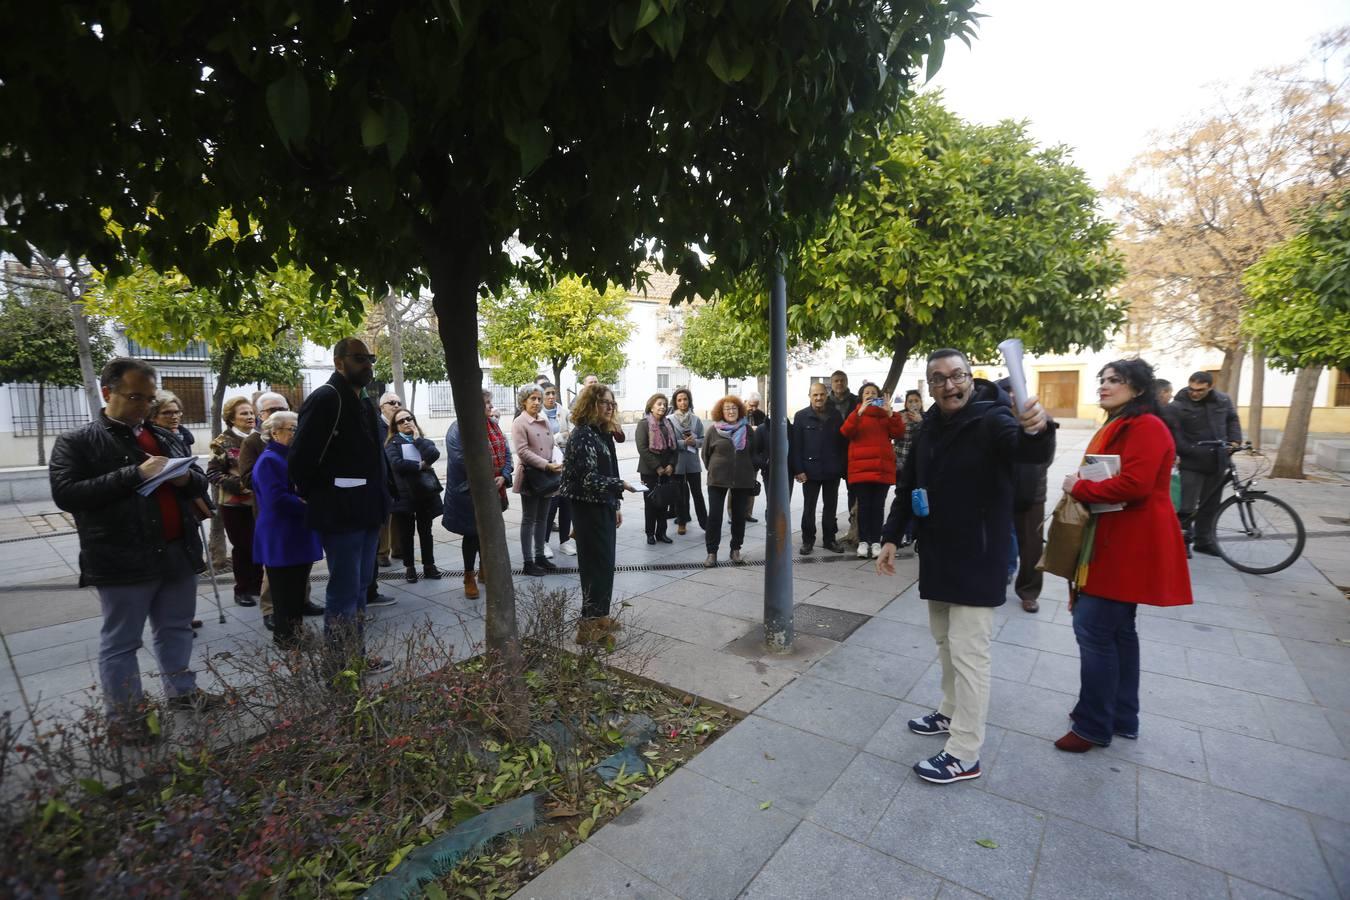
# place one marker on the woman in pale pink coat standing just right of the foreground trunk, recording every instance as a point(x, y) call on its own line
point(539, 480)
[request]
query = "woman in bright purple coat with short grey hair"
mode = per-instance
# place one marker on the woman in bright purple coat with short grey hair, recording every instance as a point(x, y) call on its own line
point(283, 543)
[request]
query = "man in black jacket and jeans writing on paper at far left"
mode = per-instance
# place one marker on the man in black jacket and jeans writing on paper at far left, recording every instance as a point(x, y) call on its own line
point(142, 554)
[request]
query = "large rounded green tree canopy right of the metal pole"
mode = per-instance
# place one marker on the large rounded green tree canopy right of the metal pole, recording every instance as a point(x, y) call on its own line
point(963, 237)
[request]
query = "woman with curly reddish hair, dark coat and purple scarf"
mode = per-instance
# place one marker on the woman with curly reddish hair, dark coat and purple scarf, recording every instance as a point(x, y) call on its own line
point(731, 455)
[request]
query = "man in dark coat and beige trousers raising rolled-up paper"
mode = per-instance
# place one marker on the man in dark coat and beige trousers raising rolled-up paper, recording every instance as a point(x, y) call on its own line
point(963, 462)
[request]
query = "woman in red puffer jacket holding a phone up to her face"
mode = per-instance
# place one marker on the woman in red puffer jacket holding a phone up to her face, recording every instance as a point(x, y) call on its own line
point(871, 463)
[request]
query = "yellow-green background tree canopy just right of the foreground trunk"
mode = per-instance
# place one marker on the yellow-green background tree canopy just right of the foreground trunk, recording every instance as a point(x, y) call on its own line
point(566, 325)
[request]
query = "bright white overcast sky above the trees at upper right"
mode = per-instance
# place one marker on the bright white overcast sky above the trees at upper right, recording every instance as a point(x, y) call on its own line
point(1101, 75)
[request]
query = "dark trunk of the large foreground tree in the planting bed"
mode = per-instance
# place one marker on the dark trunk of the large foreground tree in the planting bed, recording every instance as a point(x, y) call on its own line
point(456, 298)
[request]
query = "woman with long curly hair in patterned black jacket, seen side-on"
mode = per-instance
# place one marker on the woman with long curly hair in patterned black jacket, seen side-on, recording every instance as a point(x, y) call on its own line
point(592, 482)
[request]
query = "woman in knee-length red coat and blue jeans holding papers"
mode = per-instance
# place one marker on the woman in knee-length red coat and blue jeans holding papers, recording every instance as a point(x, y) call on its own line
point(1131, 557)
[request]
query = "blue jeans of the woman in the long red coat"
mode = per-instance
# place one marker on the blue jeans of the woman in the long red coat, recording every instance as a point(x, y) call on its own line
point(1109, 651)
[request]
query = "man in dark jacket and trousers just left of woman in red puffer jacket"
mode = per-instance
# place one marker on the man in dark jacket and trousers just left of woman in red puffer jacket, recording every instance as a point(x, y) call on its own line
point(817, 462)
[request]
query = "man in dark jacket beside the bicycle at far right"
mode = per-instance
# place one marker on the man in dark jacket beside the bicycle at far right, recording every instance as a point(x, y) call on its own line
point(1199, 414)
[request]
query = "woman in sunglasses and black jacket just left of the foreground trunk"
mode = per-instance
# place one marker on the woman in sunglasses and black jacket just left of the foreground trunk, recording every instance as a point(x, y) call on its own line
point(418, 504)
